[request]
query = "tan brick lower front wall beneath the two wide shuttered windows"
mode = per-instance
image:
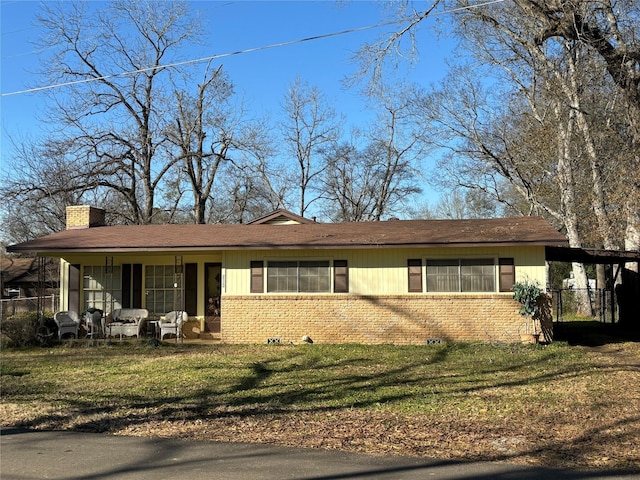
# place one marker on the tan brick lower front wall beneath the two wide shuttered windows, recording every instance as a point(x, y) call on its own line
point(394, 319)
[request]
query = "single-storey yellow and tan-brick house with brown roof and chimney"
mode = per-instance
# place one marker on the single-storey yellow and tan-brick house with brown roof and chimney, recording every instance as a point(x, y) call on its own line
point(284, 277)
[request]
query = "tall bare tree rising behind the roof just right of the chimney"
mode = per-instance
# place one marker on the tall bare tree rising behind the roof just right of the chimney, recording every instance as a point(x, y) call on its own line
point(113, 110)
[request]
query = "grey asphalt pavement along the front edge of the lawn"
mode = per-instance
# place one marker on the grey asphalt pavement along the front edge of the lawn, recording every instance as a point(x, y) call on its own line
point(35, 455)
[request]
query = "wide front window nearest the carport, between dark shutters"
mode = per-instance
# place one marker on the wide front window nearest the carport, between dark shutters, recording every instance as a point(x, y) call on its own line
point(466, 275)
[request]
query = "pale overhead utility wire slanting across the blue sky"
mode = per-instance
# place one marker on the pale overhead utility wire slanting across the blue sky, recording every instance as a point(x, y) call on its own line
point(240, 52)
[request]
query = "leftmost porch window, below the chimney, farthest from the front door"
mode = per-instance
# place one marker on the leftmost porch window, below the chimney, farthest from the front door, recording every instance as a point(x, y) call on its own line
point(102, 290)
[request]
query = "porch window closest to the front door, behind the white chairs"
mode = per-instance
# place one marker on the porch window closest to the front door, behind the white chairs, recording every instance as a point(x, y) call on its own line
point(163, 289)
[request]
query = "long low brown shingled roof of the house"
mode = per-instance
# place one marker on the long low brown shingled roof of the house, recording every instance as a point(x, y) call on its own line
point(393, 233)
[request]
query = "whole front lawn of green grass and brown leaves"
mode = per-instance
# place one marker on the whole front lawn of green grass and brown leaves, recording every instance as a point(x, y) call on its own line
point(454, 400)
